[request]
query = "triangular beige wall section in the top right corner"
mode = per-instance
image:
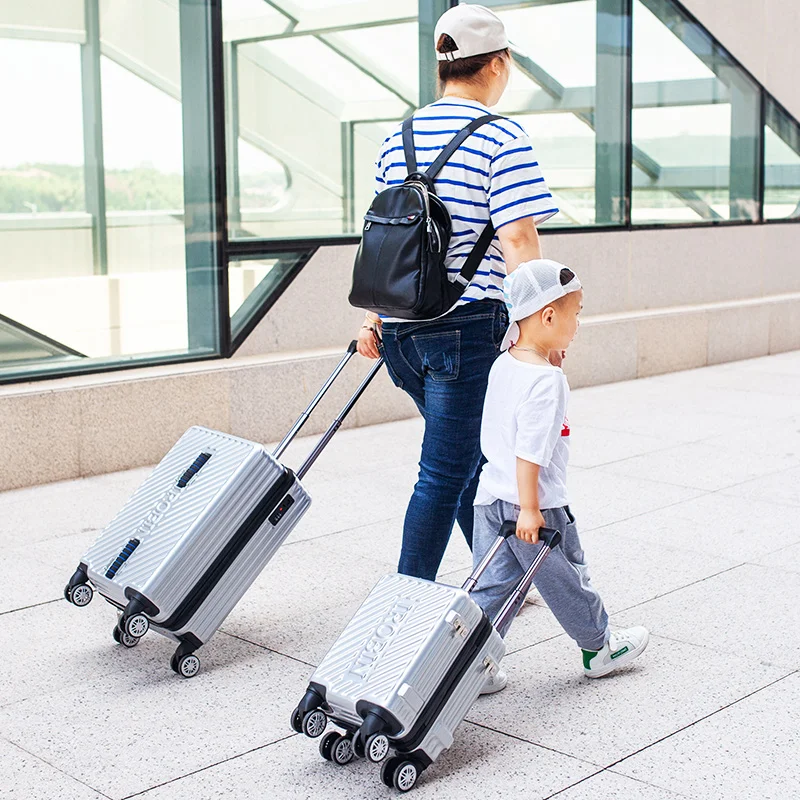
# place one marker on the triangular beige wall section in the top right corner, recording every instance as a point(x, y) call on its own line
point(762, 34)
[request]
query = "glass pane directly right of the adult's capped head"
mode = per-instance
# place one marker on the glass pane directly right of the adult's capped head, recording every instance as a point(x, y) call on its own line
point(552, 94)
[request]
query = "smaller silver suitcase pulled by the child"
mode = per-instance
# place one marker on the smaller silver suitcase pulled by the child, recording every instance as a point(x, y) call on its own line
point(407, 668)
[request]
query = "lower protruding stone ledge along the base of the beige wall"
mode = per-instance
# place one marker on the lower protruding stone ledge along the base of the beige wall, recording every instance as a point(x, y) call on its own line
point(92, 424)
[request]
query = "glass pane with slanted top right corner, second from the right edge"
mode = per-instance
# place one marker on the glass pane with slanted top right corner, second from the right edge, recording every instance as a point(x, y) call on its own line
point(695, 115)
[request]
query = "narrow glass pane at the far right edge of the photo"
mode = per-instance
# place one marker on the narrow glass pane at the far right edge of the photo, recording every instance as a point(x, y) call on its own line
point(781, 164)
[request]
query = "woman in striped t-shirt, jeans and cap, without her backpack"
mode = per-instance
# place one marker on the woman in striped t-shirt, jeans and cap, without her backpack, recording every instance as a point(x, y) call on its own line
point(444, 364)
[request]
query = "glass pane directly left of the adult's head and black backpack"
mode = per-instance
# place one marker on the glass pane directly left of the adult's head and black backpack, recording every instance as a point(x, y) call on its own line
point(299, 106)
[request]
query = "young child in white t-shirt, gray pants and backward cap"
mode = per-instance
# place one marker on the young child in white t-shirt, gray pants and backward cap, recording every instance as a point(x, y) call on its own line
point(525, 438)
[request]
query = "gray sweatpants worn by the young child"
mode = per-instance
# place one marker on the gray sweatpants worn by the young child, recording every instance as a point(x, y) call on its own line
point(563, 579)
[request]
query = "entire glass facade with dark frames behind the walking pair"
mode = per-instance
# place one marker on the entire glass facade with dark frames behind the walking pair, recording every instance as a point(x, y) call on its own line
point(168, 166)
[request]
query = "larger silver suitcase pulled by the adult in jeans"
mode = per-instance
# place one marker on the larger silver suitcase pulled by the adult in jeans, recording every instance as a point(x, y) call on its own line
point(197, 533)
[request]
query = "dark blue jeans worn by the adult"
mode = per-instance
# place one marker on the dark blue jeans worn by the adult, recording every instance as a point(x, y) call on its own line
point(444, 366)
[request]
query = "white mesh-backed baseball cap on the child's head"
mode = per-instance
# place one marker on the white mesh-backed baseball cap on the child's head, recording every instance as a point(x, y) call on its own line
point(532, 286)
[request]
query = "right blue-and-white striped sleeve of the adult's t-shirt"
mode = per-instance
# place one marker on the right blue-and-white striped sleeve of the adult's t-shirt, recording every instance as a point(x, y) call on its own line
point(517, 188)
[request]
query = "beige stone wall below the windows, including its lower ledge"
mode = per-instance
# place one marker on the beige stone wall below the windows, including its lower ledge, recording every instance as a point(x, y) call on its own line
point(656, 301)
